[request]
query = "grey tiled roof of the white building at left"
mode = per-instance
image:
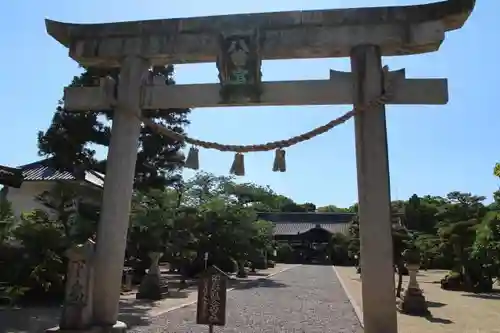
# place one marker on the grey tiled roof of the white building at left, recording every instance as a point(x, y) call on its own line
point(41, 171)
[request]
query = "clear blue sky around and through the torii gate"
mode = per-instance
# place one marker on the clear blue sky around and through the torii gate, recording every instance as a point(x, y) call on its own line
point(433, 149)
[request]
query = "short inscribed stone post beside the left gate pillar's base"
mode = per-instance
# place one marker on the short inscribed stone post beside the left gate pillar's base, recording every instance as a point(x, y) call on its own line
point(77, 308)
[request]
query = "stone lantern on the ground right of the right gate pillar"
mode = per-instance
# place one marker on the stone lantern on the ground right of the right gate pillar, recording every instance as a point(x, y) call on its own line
point(413, 301)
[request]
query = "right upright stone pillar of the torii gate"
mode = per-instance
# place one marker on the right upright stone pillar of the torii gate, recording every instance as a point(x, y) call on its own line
point(379, 304)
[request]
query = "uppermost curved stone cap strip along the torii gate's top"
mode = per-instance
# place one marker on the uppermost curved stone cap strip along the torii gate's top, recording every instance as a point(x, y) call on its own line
point(452, 12)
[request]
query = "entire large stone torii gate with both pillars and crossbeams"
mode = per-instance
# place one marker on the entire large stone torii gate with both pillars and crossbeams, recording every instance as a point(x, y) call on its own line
point(363, 34)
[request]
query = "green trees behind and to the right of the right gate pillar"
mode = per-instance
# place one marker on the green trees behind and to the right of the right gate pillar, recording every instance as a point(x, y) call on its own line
point(456, 232)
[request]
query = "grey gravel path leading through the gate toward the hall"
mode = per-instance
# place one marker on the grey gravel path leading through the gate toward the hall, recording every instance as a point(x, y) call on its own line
point(304, 299)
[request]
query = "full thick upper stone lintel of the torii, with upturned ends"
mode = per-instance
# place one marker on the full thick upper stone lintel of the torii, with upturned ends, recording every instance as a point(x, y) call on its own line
point(398, 30)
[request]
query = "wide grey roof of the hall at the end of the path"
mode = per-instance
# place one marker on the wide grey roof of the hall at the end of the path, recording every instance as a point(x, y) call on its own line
point(297, 223)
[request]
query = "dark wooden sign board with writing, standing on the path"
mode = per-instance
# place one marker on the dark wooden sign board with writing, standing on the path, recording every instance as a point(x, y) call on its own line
point(212, 293)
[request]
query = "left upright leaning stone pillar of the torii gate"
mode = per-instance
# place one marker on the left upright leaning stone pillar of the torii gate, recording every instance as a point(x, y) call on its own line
point(120, 168)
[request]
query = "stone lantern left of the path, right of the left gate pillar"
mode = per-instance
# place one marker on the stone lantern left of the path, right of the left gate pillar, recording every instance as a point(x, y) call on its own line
point(151, 286)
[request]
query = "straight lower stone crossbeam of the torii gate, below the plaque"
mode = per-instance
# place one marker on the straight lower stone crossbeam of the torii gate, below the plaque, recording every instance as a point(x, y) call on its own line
point(336, 91)
